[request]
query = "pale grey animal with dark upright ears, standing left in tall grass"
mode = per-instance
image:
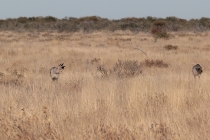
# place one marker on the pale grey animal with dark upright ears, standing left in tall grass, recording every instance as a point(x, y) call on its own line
point(55, 71)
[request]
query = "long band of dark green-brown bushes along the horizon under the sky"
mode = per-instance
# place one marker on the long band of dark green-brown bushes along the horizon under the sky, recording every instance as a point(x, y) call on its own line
point(95, 23)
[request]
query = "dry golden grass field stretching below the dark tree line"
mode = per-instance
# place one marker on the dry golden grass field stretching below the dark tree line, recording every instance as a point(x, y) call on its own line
point(161, 103)
